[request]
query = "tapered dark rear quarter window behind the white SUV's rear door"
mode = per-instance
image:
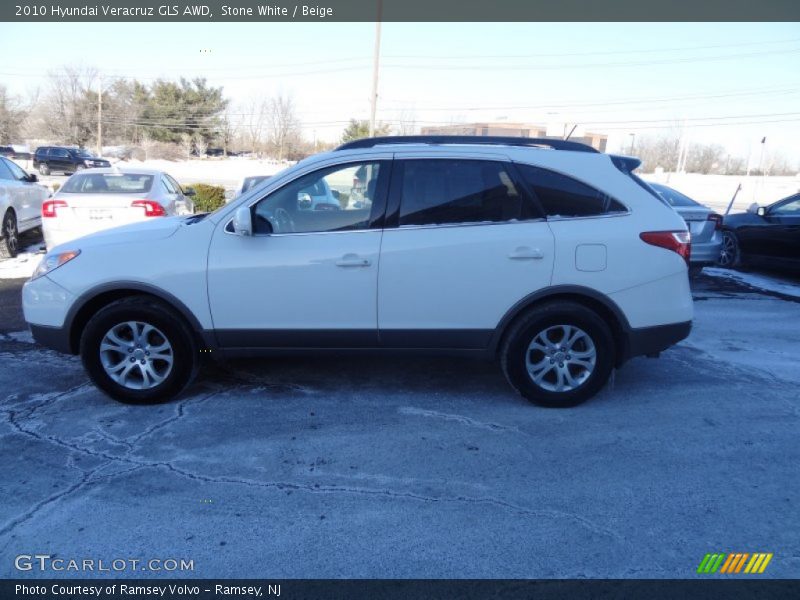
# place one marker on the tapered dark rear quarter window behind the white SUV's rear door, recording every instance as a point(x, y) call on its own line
point(563, 196)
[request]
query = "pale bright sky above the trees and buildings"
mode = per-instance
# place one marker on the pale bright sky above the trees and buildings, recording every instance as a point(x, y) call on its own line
point(728, 83)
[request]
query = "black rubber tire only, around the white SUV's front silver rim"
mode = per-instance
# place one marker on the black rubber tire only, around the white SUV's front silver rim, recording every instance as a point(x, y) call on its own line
point(167, 323)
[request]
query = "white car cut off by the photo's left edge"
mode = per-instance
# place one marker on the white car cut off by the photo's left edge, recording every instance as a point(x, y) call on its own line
point(21, 200)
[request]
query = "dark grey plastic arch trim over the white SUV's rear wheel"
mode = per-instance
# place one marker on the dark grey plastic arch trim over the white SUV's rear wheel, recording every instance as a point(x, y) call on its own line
point(596, 301)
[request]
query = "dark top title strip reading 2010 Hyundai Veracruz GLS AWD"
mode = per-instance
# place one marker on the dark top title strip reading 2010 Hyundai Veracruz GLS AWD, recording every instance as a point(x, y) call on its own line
point(407, 10)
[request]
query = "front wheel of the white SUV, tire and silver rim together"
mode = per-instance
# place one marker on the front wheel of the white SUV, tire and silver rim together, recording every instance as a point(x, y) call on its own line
point(139, 351)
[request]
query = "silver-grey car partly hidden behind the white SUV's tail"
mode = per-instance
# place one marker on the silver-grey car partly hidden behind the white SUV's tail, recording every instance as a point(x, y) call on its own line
point(704, 225)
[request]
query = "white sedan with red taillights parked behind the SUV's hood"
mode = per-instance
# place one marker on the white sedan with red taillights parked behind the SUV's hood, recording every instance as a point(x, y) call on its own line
point(98, 199)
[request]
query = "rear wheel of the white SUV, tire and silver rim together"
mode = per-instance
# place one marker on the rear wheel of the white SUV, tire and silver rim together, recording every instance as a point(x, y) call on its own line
point(558, 355)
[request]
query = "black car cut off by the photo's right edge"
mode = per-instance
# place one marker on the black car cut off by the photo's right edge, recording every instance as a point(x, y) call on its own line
point(766, 236)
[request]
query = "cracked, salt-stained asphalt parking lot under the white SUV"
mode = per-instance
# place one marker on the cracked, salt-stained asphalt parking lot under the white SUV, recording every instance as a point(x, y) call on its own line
point(427, 467)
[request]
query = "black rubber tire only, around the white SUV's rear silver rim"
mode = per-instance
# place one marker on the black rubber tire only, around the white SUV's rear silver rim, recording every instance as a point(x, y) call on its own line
point(515, 353)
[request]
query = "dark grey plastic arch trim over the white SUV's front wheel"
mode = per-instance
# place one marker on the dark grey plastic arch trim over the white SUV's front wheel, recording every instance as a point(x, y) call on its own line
point(90, 302)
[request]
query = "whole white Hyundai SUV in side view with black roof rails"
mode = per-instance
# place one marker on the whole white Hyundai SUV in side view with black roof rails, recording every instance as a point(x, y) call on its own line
point(547, 254)
